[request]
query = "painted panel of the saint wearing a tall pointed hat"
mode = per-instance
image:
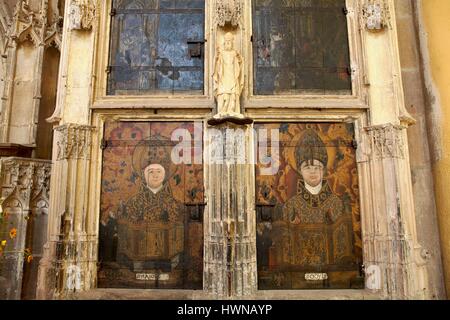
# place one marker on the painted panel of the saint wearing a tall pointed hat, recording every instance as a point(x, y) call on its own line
point(308, 214)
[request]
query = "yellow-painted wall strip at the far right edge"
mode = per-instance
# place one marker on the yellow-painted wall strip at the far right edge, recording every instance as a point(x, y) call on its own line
point(433, 26)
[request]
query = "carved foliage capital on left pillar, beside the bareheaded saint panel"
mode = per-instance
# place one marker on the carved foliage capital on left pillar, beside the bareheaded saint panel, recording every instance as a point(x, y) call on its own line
point(73, 141)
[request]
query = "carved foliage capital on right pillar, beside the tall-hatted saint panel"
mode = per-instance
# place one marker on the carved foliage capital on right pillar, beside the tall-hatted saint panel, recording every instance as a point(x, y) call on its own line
point(386, 141)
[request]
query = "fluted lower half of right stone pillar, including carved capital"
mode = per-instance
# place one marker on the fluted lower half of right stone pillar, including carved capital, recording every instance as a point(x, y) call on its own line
point(394, 261)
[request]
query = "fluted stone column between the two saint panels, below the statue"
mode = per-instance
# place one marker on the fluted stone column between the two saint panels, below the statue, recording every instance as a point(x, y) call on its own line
point(230, 220)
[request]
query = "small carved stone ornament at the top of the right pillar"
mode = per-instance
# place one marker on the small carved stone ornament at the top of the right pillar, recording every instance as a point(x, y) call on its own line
point(375, 15)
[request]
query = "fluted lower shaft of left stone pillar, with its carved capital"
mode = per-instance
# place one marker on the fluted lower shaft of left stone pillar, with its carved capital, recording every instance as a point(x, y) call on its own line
point(69, 252)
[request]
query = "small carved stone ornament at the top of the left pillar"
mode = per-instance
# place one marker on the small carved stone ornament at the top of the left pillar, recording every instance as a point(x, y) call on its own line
point(81, 14)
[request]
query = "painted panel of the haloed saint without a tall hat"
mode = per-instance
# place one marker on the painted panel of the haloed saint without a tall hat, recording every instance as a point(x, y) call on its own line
point(151, 233)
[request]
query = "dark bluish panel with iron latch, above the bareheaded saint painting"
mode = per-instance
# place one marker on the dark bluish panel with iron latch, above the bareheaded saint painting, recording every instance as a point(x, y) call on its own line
point(156, 47)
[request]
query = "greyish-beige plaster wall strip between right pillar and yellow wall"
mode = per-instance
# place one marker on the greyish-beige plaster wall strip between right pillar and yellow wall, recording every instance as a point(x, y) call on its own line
point(422, 178)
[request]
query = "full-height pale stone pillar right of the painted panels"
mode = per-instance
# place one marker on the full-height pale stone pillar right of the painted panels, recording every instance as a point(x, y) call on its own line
point(394, 260)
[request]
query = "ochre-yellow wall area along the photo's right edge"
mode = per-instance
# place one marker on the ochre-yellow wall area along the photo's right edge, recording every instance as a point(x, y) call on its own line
point(436, 22)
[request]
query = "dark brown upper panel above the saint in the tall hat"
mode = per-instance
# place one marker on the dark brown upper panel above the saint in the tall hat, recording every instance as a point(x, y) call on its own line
point(300, 47)
